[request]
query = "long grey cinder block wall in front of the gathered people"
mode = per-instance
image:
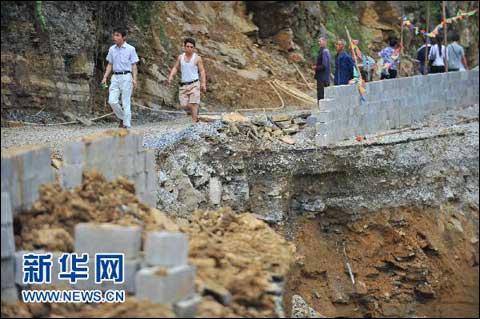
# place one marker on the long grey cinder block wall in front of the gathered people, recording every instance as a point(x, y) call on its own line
point(391, 104)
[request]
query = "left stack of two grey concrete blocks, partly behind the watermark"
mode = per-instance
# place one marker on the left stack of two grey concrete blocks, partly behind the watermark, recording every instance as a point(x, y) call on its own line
point(108, 238)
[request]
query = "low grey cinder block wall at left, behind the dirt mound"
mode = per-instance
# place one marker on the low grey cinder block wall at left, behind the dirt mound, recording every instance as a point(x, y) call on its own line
point(24, 169)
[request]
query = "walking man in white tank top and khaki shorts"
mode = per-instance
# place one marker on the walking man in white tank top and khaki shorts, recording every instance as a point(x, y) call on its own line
point(191, 65)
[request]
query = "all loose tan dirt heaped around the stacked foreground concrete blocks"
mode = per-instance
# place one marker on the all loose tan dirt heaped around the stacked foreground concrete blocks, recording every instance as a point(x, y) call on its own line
point(237, 256)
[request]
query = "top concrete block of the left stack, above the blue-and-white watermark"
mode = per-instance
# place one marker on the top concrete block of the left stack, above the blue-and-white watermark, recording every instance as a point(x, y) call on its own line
point(108, 238)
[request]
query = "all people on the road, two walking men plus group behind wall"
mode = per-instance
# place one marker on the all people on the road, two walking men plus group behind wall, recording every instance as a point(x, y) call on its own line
point(122, 62)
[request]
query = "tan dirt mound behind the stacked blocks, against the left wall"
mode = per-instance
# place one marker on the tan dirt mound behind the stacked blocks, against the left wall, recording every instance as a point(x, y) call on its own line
point(51, 222)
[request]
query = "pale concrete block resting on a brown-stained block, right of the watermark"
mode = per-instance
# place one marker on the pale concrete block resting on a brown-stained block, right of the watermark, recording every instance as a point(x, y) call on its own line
point(166, 249)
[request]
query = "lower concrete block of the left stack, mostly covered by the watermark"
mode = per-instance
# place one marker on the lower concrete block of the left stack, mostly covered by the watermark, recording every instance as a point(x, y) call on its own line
point(131, 267)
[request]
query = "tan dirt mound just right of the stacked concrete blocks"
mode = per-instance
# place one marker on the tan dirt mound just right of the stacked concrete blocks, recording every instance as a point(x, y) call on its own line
point(237, 254)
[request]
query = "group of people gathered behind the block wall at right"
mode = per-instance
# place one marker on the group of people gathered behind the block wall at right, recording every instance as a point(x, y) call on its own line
point(437, 57)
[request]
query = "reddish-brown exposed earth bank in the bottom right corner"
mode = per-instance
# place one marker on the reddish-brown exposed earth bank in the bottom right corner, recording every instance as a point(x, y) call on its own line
point(405, 262)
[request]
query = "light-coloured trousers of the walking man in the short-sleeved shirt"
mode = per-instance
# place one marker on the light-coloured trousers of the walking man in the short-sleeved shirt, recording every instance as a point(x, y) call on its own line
point(121, 84)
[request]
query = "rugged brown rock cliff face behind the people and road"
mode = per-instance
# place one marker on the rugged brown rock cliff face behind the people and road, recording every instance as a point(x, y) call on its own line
point(53, 53)
